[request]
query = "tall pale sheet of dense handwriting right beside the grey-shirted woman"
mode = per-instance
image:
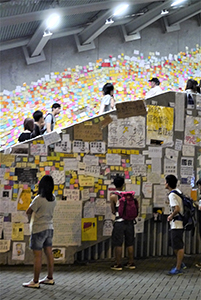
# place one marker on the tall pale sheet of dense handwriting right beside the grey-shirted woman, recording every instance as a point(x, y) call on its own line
point(67, 223)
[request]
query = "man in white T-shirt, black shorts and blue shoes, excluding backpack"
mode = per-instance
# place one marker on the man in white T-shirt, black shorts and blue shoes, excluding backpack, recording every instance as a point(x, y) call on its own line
point(176, 224)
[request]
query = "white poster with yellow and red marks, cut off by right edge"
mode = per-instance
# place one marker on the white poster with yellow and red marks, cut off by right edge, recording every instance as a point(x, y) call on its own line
point(192, 131)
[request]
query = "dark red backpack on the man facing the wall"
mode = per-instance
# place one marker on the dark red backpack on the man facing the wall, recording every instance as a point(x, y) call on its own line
point(128, 206)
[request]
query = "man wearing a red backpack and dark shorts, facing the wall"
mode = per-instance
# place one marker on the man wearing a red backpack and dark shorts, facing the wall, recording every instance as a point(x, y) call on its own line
point(123, 226)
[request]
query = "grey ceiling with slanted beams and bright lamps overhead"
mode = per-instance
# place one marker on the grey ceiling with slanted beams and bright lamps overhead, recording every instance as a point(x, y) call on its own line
point(22, 22)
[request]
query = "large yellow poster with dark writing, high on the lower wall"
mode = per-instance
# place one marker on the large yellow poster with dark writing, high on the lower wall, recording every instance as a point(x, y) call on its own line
point(160, 123)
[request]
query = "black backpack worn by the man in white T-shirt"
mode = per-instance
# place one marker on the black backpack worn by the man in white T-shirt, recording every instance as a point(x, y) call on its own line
point(188, 216)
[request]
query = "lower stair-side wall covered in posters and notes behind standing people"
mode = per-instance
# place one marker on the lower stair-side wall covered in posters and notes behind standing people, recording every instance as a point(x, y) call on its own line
point(141, 148)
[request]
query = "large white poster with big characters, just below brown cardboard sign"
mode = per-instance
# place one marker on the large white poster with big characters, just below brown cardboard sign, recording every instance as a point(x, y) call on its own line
point(127, 133)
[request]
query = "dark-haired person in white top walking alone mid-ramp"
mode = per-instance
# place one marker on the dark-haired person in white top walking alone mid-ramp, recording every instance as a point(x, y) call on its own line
point(107, 102)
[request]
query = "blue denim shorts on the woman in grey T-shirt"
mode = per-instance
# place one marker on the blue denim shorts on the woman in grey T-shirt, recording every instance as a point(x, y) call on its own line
point(41, 239)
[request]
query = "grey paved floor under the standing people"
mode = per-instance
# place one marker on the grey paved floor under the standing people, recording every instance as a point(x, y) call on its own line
point(96, 281)
